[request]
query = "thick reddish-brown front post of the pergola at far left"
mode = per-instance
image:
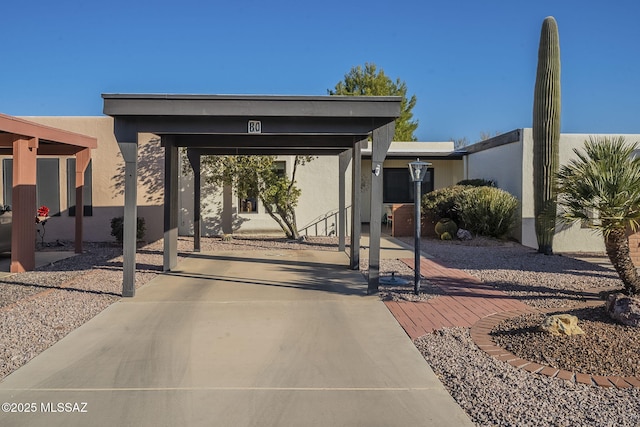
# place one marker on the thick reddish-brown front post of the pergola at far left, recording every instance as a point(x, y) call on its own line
point(23, 256)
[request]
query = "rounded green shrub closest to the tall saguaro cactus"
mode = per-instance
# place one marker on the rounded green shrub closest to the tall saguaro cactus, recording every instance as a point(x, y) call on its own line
point(488, 211)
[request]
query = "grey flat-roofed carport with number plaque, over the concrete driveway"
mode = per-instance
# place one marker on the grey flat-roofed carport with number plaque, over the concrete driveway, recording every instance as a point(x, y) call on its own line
point(253, 125)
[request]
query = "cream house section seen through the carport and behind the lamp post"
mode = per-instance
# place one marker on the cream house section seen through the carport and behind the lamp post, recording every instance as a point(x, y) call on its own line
point(318, 206)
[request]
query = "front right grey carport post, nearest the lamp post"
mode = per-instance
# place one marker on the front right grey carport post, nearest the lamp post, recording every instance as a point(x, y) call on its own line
point(381, 141)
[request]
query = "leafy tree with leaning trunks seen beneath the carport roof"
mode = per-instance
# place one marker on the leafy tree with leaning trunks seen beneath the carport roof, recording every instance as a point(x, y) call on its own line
point(257, 176)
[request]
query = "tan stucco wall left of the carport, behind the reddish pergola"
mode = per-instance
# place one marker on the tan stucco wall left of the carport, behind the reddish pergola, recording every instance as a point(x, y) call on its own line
point(107, 176)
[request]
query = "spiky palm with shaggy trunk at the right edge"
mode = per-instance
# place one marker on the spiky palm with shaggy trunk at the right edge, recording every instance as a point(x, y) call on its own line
point(602, 187)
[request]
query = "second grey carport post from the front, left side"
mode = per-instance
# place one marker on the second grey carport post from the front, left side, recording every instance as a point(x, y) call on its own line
point(170, 203)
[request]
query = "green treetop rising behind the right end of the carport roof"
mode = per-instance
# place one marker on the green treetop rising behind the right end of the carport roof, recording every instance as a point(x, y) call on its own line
point(368, 81)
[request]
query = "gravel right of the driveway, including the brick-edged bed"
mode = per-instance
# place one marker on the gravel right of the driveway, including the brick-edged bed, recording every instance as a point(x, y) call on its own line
point(494, 393)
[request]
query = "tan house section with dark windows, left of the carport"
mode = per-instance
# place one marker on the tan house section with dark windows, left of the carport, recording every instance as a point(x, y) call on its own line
point(104, 193)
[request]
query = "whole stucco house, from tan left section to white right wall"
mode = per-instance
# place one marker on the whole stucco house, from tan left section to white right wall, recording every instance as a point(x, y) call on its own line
point(506, 159)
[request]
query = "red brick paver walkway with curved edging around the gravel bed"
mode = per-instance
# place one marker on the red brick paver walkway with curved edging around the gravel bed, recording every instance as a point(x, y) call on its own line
point(468, 302)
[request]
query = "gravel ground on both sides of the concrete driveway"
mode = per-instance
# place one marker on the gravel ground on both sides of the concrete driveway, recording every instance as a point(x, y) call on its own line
point(39, 308)
